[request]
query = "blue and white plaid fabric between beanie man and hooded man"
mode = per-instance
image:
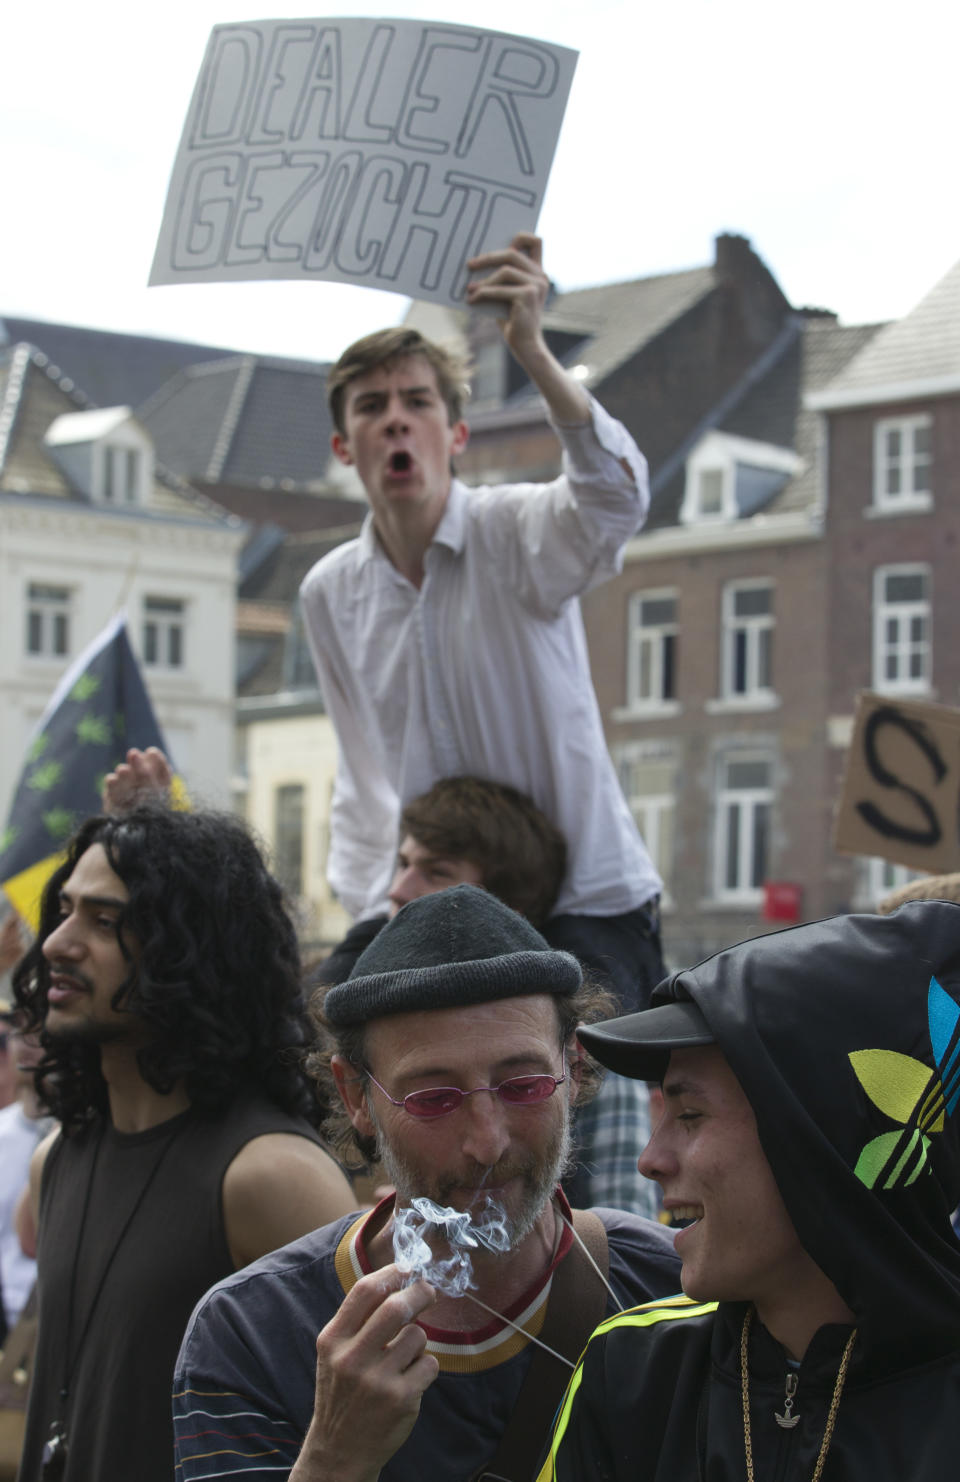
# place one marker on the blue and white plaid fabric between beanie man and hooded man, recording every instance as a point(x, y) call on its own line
point(613, 1130)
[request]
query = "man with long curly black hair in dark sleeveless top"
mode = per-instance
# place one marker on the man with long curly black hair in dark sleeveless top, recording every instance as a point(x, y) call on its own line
point(165, 985)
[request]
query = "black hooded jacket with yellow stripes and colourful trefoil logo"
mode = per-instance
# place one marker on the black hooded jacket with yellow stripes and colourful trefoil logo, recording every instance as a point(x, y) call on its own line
point(845, 1037)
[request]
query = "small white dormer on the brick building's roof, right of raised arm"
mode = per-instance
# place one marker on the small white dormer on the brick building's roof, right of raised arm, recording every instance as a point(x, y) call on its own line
point(731, 478)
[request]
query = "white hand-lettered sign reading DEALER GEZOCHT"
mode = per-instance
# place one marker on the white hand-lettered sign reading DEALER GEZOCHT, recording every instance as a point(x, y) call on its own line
point(383, 153)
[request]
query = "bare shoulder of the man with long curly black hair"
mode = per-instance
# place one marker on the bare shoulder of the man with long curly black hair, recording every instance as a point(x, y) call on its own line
point(278, 1188)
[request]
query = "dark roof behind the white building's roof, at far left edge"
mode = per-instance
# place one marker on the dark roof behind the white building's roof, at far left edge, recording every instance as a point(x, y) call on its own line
point(113, 370)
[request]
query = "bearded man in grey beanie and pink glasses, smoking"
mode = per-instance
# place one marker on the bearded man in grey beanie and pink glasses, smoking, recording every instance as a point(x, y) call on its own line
point(453, 1049)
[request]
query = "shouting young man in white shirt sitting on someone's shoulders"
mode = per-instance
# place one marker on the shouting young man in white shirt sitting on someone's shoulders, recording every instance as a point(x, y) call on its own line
point(448, 637)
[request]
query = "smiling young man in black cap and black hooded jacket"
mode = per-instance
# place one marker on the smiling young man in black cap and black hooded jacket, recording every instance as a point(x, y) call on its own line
point(811, 1136)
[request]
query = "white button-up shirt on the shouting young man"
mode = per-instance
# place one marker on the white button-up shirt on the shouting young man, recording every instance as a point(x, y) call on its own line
point(484, 671)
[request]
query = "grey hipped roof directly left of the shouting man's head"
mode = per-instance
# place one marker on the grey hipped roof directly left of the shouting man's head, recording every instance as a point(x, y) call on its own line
point(245, 420)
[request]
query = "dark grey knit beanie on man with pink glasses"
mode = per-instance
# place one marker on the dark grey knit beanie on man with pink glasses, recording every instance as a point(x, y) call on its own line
point(445, 951)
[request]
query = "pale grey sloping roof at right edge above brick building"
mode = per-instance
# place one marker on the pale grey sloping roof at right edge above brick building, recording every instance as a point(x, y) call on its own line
point(912, 358)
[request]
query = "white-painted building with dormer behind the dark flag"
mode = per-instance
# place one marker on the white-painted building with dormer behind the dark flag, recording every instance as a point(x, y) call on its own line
point(90, 524)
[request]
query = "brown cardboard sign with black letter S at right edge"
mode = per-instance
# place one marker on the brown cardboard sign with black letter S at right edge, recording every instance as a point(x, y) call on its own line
point(901, 792)
